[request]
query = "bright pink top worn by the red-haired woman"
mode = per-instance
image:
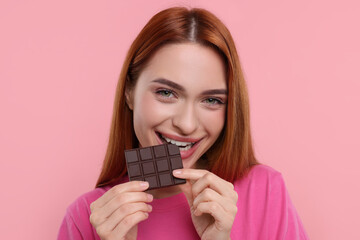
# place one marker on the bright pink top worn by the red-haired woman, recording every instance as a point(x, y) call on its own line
point(265, 212)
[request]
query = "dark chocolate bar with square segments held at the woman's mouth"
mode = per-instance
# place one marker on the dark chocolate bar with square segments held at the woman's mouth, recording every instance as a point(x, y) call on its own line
point(155, 165)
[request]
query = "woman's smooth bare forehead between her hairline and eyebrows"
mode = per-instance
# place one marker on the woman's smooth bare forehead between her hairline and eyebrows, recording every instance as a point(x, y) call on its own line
point(187, 63)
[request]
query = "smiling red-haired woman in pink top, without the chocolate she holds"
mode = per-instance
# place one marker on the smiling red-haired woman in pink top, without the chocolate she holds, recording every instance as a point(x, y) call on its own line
point(182, 83)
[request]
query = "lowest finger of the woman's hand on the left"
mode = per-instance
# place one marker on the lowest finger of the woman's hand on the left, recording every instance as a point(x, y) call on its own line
point(128, 222)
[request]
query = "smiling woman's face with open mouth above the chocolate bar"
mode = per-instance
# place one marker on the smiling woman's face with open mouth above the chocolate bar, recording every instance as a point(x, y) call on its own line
point(180, 98)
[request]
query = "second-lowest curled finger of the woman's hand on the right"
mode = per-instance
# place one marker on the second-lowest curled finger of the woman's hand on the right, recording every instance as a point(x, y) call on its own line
point(209, 195)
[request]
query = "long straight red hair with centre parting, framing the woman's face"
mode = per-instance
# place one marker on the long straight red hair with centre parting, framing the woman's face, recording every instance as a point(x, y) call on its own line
point(232, 154)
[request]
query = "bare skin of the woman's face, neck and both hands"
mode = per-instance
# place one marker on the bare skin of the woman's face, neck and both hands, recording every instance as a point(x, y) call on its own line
point(182, 108)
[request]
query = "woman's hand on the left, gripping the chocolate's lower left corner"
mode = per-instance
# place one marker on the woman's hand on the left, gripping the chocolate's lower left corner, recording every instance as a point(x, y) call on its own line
point(115, 215)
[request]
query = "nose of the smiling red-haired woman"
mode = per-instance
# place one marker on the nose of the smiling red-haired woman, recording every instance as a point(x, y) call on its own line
point(185, 119)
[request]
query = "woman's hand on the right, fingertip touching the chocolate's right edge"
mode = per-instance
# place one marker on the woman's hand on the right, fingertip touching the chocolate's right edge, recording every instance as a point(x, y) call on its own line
point(212, 202)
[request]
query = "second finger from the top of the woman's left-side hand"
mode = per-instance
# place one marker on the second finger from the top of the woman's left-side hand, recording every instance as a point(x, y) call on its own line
point(101, 214)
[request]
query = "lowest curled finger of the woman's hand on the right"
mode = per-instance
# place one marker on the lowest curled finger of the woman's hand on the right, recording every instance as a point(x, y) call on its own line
point(223, 220)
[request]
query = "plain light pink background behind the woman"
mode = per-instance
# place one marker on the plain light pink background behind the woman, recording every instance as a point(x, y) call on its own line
point(59, 64)
